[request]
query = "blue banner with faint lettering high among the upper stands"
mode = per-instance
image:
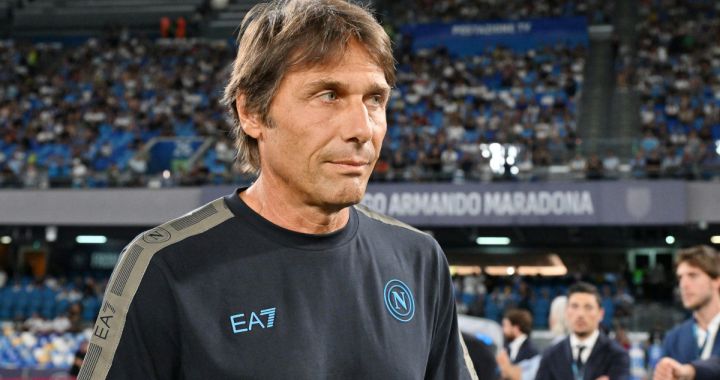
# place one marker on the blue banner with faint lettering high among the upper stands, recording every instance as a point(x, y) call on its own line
point(473, 38)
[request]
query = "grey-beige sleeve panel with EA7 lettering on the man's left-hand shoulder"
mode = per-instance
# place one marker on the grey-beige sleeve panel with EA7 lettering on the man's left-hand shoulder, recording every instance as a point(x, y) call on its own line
point(127, 276)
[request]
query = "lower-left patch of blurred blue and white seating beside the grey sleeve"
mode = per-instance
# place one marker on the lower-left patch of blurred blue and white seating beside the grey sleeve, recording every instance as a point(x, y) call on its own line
point(46, 321)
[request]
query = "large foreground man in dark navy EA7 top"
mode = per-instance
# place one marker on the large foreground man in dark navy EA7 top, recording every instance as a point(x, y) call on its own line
point(287, 278)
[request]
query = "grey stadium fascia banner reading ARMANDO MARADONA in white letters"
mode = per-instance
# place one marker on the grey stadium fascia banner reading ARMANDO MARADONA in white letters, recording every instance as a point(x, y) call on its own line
point(552, 203)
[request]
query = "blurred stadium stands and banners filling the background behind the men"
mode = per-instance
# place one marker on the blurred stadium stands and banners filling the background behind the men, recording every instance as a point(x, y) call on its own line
point(540, 143)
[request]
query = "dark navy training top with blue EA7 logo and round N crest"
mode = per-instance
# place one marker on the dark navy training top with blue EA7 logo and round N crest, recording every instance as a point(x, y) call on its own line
point(222, 293)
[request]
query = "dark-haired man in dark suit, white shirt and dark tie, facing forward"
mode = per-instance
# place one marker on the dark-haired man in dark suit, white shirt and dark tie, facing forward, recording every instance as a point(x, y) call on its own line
point(586, 354)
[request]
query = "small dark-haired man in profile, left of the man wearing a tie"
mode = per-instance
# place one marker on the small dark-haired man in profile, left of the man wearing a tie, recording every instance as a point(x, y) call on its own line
point(517, 326)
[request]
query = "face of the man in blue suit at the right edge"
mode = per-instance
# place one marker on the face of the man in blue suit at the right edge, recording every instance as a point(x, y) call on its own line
point(697, 289)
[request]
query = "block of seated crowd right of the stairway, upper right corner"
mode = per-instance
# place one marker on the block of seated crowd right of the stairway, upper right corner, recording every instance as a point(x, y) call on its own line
point(676, 70)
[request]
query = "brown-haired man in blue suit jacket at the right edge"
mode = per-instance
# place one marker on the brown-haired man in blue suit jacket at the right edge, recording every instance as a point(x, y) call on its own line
point(698, 274)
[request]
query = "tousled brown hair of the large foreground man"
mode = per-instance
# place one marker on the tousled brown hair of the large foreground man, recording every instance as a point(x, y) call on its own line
point(278, 37)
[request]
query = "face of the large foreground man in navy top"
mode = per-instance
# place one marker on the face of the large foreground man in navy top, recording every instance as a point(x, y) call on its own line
point(328, 127)
